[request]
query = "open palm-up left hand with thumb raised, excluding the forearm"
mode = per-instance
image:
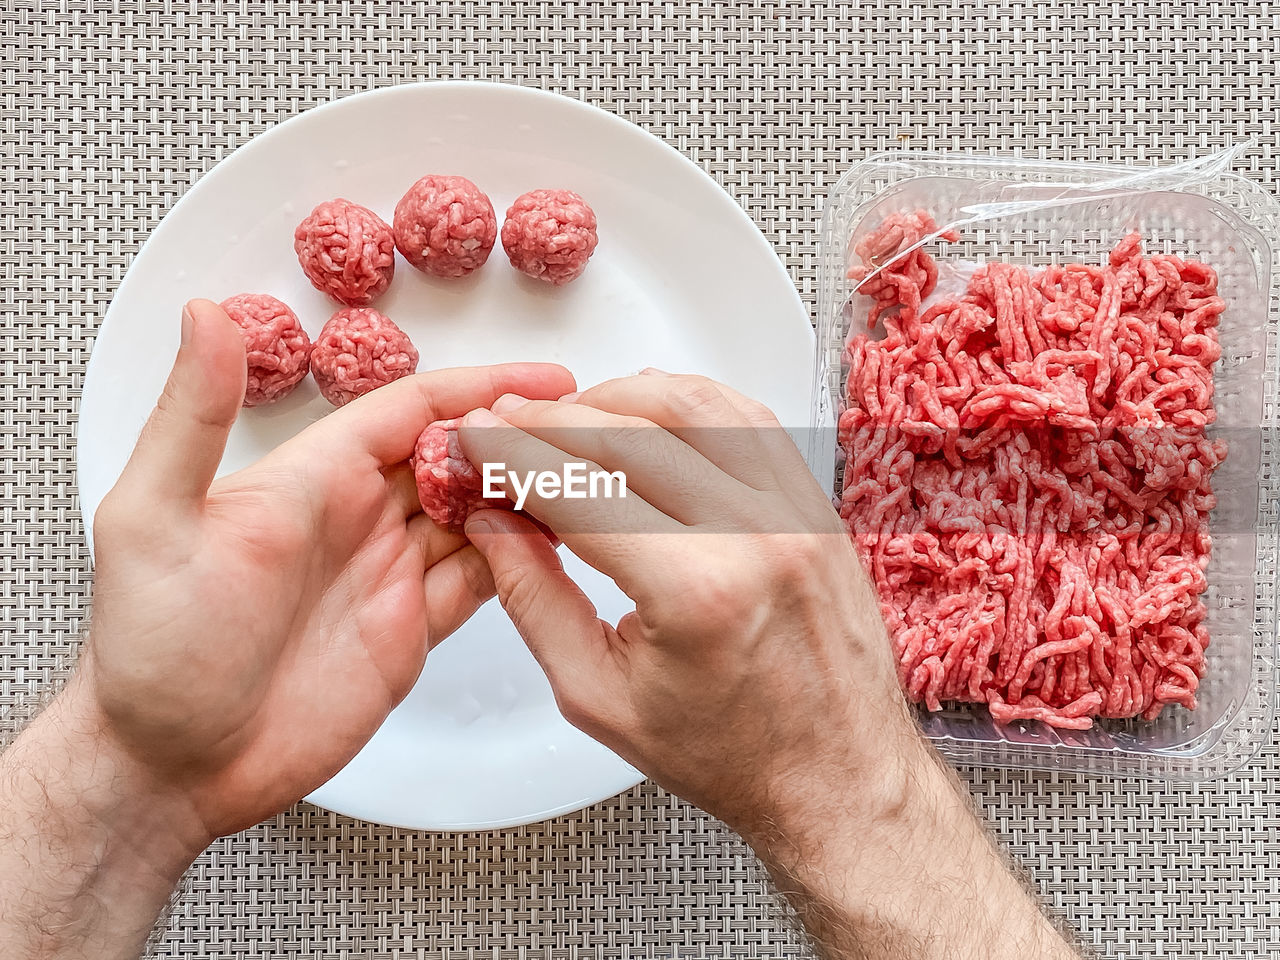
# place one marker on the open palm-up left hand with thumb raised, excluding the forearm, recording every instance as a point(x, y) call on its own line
point(252, 634)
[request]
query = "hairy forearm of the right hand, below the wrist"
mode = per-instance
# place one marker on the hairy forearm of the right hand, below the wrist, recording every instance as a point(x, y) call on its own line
point(912, 875)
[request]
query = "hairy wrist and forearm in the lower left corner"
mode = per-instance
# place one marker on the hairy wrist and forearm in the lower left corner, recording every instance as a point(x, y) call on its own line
point(90, 847)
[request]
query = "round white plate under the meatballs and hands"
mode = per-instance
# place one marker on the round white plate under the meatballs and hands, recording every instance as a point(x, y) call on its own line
point(682, 281)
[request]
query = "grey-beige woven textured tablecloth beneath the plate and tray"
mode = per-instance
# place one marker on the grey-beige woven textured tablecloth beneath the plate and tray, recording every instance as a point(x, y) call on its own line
point(112, 111)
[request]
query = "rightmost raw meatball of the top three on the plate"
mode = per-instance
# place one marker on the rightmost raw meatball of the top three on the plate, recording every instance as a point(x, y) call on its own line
point(550, 235)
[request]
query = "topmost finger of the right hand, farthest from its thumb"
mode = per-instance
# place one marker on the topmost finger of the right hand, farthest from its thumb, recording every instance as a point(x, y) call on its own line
point(698, 412)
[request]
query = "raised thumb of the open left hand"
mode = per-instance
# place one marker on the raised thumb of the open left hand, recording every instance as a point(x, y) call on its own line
point(182, 444)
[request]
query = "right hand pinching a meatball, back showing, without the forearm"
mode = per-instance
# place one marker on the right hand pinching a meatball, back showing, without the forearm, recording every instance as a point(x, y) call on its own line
point(755, 676)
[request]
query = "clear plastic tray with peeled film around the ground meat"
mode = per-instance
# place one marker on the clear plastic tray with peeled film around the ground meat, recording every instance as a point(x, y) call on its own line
point(1037, 213)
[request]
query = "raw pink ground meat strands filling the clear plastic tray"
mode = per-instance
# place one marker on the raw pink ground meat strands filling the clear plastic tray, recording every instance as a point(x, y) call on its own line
point(1028, 478)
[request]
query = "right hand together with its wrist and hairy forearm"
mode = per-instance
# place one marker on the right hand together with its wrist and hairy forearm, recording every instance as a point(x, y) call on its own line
point(756, 676)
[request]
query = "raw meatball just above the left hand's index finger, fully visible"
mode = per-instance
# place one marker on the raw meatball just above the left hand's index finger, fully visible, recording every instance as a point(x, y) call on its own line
point(359, 351)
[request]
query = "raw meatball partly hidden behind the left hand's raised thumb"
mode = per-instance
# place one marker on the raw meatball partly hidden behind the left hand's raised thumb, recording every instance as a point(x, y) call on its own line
point(276, 346)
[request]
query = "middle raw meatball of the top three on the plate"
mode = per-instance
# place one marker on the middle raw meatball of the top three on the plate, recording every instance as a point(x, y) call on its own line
point(446, 226)
